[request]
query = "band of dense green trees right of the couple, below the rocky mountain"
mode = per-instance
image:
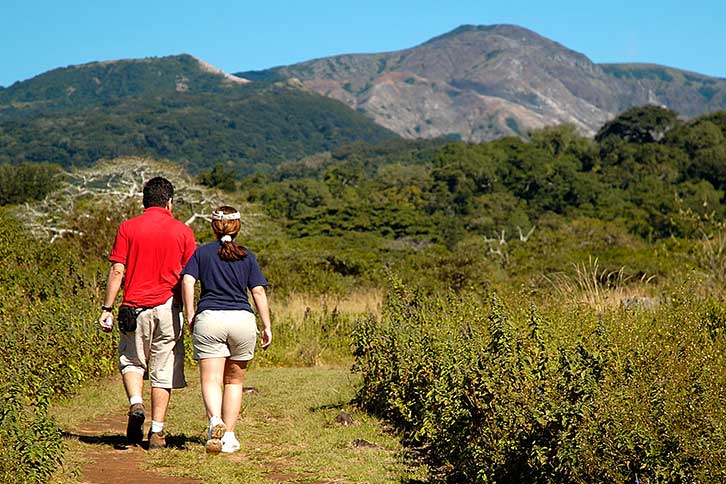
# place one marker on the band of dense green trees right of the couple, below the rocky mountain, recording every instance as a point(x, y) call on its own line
point(645, 171)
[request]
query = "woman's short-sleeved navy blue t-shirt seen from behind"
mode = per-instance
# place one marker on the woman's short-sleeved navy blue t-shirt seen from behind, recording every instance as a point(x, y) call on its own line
point(224, 284)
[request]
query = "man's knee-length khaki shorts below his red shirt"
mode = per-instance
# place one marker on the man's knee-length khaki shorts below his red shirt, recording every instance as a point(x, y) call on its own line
point(156, 348)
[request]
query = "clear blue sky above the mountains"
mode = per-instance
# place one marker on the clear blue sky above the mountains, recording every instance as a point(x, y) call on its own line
point(39, 35)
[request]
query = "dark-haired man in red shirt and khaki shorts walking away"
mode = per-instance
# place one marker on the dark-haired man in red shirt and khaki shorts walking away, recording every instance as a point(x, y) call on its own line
point(150, 251)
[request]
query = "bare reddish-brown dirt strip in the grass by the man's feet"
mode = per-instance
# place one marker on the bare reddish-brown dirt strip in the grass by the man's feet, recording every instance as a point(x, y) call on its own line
point(111, 460)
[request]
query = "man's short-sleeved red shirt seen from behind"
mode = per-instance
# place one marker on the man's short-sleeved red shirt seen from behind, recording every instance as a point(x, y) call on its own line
point(154, 248)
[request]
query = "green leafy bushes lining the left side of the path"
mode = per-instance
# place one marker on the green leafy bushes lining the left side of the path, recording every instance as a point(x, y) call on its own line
point(51, 345)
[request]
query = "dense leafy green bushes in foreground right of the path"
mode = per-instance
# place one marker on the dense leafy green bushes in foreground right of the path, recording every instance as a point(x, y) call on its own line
point(496, 395)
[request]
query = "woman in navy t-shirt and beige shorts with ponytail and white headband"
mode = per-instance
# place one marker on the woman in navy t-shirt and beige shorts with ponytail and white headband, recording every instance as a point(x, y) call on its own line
point(223, 327)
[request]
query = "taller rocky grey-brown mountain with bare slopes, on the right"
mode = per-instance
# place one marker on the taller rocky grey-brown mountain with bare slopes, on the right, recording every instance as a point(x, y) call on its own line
point(482, 82)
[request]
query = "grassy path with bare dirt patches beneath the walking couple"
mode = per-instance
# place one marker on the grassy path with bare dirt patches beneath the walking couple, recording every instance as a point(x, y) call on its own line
point(288, 432)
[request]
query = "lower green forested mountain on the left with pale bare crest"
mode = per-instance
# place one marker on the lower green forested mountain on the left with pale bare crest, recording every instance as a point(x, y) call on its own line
point(177, 107)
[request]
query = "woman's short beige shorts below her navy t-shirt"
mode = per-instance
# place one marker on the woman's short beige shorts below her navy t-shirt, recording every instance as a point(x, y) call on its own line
point(224, 334)
